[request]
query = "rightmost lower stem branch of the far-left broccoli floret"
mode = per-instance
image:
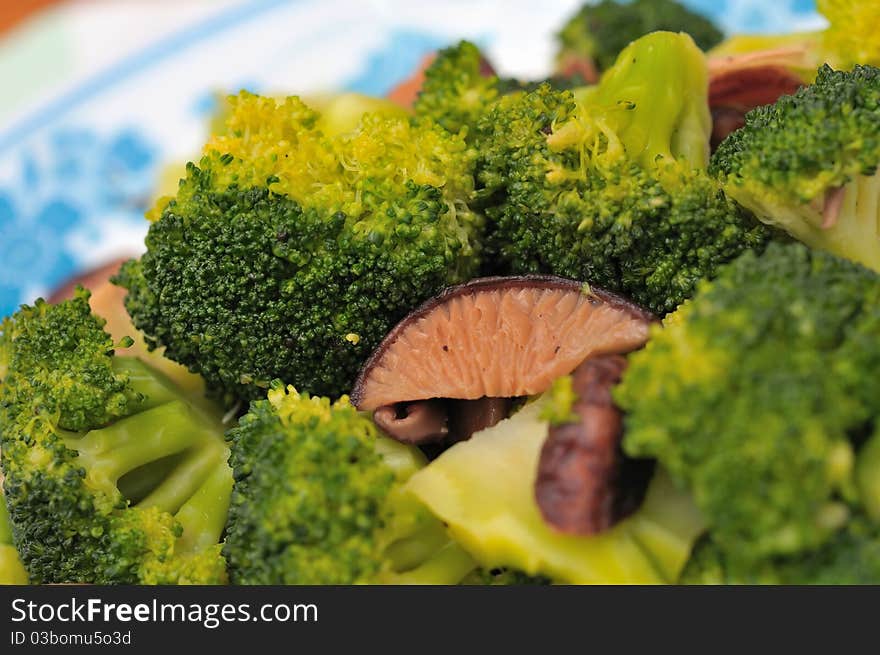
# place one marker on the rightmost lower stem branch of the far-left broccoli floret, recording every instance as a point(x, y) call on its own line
point(203, 516)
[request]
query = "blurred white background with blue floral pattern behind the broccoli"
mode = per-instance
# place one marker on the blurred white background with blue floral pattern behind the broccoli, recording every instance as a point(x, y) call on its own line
point(99, 97)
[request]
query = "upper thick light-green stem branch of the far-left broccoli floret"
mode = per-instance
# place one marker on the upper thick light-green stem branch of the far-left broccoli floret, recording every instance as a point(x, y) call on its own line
point(109, 453)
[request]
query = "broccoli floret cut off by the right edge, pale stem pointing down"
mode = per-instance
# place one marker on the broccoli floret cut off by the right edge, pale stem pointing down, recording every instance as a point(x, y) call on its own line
point(809, 164)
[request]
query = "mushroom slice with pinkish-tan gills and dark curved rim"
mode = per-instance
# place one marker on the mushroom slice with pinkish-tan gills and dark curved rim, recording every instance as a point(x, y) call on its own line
point(500, 337)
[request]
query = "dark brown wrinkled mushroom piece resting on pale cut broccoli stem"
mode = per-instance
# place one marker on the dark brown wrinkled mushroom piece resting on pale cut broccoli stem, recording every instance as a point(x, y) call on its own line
point(584, 483)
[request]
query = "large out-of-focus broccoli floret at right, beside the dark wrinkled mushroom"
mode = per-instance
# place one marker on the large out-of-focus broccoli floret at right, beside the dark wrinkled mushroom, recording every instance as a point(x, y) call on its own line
point(759, 394)
